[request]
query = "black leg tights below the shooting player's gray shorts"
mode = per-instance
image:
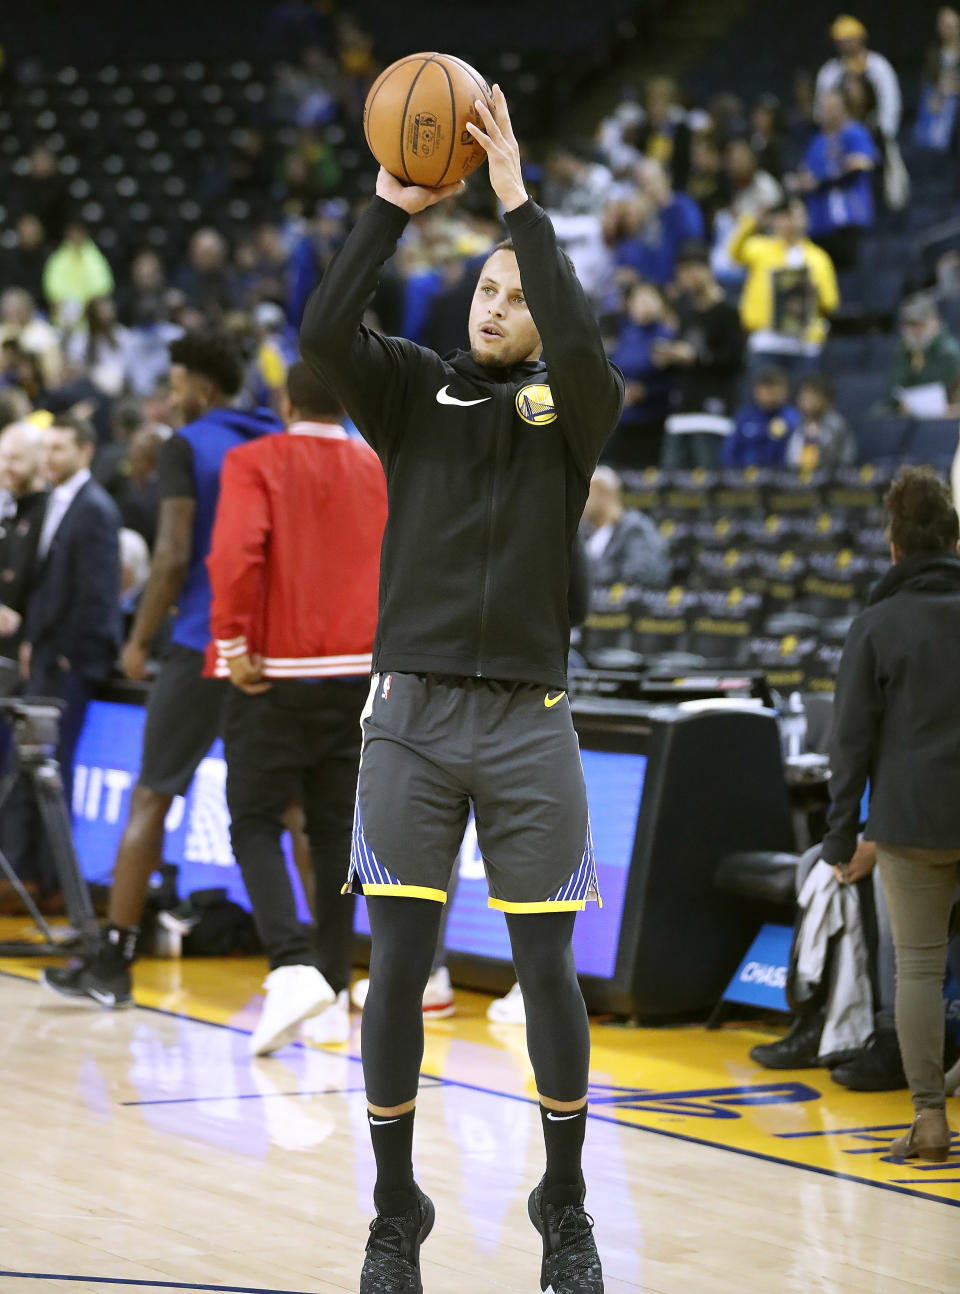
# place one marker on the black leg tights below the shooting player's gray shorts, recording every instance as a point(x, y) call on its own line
point(404, 934)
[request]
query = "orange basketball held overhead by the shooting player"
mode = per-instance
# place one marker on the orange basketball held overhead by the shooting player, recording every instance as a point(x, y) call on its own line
point(416, 120)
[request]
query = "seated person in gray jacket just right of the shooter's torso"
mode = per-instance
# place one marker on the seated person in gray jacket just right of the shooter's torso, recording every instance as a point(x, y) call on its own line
point(622, 548)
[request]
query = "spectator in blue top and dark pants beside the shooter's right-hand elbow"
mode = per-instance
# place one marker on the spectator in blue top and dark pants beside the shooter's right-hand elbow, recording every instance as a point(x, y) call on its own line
point(638, 441)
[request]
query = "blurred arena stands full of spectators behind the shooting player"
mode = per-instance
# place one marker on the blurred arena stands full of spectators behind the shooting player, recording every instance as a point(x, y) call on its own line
point(750, 262)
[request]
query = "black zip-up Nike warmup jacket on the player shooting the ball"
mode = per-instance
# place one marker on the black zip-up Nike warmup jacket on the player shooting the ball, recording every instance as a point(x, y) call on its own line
point(488, 469)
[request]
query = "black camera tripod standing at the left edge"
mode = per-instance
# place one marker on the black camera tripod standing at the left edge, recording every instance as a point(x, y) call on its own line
point(36, 727)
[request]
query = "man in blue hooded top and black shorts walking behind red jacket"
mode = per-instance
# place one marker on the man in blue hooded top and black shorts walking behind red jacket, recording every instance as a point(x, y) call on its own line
point(183, 718)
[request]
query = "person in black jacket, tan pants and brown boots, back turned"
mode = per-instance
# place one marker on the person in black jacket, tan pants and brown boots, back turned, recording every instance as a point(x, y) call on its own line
point(897, 727)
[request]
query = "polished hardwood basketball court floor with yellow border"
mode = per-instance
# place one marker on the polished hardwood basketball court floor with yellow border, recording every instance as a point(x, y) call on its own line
point(144, 1150)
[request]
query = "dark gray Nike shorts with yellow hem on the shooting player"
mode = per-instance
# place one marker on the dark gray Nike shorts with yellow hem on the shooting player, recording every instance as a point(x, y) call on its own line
point(434, 746)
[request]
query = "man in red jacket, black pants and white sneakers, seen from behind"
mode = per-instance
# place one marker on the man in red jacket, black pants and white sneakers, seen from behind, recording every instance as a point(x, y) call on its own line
point(294, 569)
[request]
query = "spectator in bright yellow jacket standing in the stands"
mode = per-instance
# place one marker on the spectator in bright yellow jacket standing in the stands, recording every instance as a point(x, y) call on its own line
point(791, 289)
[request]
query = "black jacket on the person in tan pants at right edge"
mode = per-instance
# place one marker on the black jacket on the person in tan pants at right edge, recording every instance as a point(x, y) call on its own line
point(897, 715)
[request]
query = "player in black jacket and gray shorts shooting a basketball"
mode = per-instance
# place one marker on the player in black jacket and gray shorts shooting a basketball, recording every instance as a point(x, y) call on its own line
point(488, 459)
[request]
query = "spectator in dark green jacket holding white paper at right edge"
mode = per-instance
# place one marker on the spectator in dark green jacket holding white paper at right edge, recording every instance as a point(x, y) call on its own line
point(926, 380)
